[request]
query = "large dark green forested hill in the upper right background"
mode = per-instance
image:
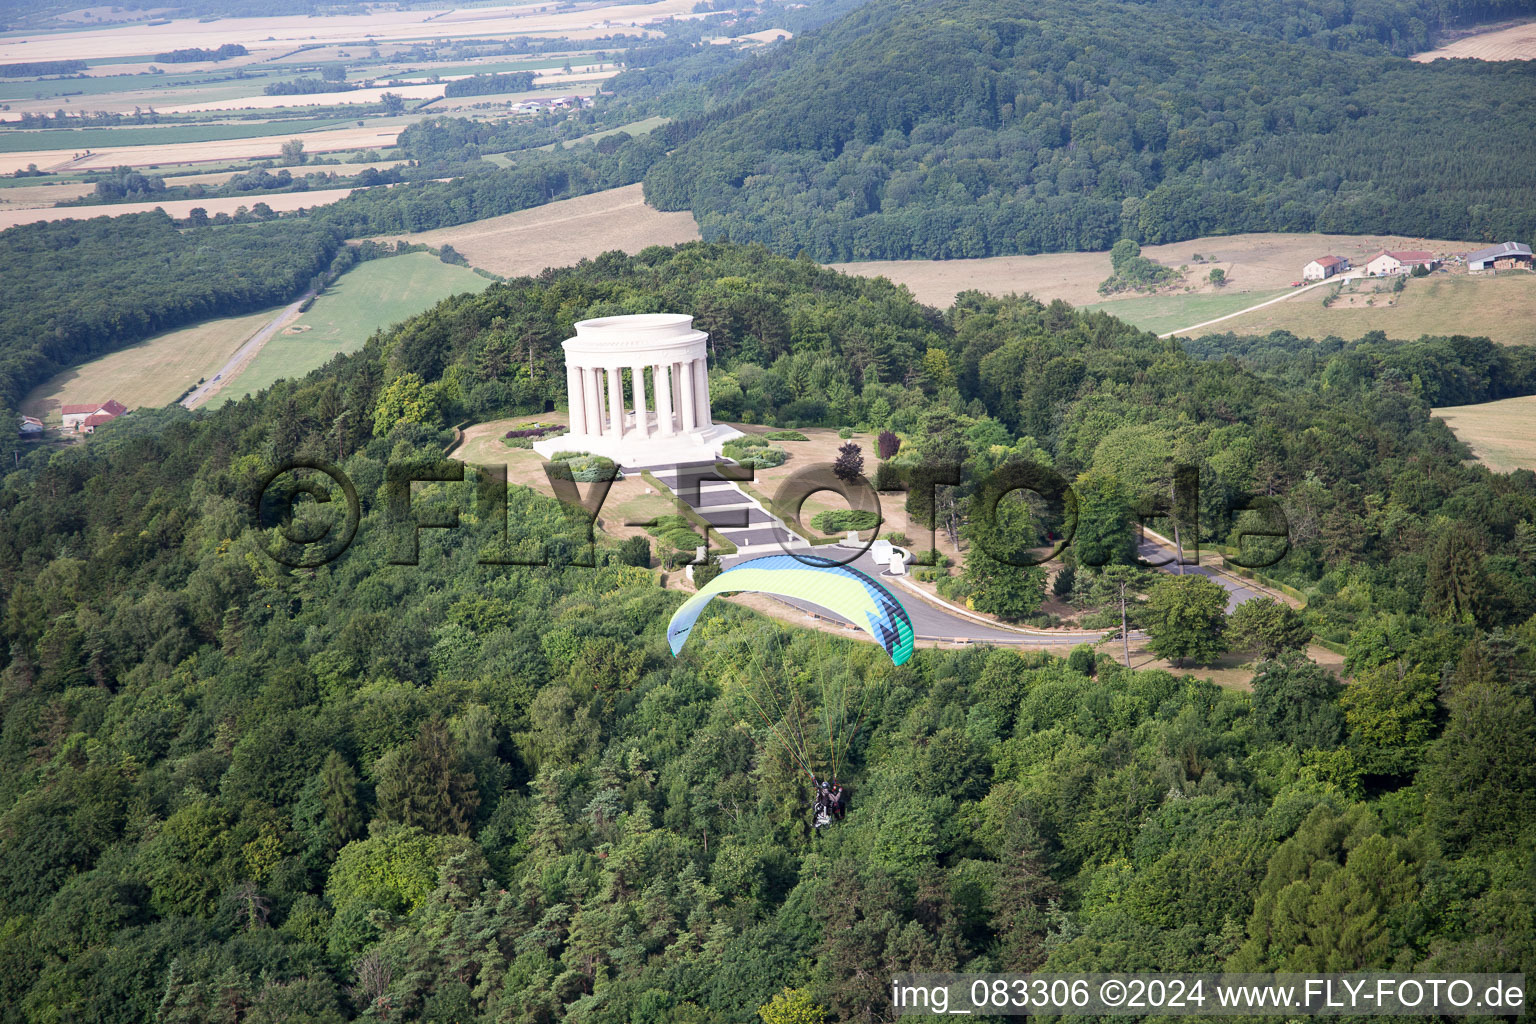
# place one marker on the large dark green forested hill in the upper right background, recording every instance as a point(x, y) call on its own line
point(970, 128)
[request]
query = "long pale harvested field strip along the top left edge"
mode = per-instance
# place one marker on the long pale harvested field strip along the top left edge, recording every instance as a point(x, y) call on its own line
point(282, 35)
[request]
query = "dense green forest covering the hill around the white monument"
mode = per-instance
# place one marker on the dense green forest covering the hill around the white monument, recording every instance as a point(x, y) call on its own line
point(458, 791)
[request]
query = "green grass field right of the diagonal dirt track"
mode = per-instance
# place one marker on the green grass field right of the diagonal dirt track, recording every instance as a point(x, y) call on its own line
point(369, 297)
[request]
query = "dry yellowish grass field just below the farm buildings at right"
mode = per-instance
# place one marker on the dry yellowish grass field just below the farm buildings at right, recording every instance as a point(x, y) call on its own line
point(1498, 308)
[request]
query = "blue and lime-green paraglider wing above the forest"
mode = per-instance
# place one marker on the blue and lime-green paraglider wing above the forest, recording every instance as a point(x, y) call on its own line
point(839, 589)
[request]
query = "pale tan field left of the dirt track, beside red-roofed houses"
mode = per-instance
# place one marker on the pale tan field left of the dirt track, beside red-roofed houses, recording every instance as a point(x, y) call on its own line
point(154, 372)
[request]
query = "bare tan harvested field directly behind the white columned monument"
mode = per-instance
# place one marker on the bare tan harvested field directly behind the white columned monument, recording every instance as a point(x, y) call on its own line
point(566, 233)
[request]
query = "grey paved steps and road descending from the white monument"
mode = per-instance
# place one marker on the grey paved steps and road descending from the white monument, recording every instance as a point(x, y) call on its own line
point(744, 521)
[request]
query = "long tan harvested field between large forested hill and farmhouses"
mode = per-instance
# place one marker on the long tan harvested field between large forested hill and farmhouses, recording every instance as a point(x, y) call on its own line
point(1253, 263)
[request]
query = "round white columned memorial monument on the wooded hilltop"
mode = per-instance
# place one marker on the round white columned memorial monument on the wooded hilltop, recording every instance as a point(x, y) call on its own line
point(669, 420)
